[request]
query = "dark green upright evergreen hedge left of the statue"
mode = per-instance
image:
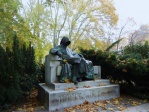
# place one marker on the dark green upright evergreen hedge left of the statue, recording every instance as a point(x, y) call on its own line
point(18, 72)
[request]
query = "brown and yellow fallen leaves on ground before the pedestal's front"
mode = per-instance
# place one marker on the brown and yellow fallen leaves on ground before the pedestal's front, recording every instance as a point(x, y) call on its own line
point(115, 104)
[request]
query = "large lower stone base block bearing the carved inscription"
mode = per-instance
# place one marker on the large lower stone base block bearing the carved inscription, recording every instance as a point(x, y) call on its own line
point(59, 99)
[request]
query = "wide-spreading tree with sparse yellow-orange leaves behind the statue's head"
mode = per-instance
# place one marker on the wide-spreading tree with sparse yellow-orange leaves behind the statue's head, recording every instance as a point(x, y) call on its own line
point(80, 19)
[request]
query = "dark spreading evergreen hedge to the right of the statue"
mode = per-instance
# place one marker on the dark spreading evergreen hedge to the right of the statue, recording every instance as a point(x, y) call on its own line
point(131, 71)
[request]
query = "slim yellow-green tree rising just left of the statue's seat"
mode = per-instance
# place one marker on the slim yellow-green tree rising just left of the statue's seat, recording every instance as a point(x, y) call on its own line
point(35, 15)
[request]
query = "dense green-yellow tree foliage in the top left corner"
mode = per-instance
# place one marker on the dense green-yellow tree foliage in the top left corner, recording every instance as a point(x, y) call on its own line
point(11, 21)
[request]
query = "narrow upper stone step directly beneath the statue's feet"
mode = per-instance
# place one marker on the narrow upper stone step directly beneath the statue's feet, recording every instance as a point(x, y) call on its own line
point(63, 86)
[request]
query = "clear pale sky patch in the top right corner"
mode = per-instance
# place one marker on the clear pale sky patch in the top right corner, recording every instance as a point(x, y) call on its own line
point(136, 9)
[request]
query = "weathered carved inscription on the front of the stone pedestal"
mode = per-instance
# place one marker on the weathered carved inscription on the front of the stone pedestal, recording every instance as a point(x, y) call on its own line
point(89, 94)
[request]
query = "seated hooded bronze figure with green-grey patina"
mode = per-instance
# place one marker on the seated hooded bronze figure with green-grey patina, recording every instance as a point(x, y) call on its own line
point(74, 66)
